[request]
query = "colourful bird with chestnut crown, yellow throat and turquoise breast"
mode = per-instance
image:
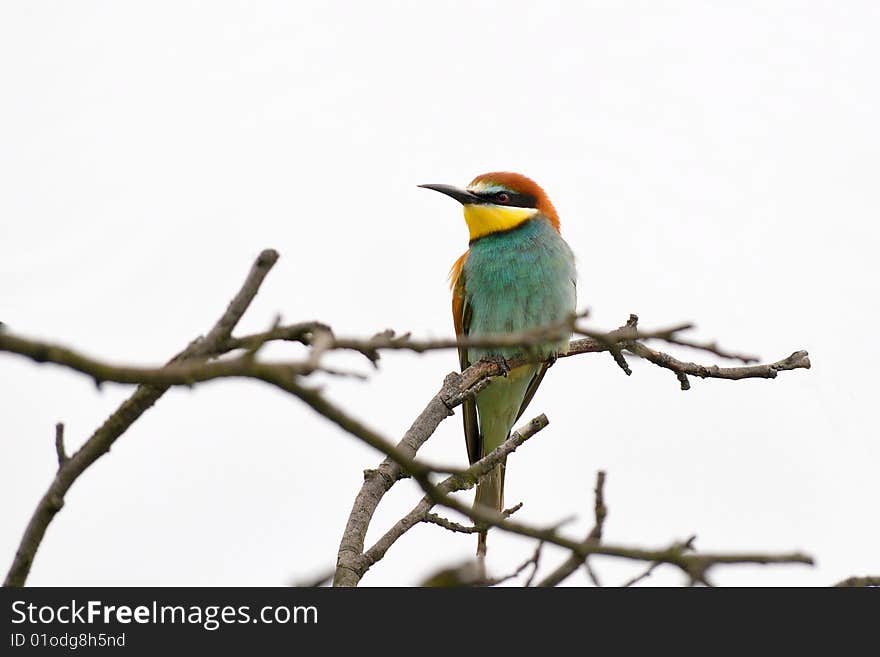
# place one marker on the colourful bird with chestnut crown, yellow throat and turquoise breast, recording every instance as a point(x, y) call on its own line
point(518, 274)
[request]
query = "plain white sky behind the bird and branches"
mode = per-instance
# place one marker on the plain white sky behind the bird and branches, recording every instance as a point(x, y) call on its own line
point(713, 165)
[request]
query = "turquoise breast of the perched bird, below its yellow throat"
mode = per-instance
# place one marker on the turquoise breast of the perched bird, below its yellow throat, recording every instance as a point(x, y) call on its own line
point(519, 280)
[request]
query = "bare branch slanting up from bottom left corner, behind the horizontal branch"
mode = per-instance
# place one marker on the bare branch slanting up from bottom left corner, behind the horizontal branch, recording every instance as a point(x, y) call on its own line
point(130, 410)
